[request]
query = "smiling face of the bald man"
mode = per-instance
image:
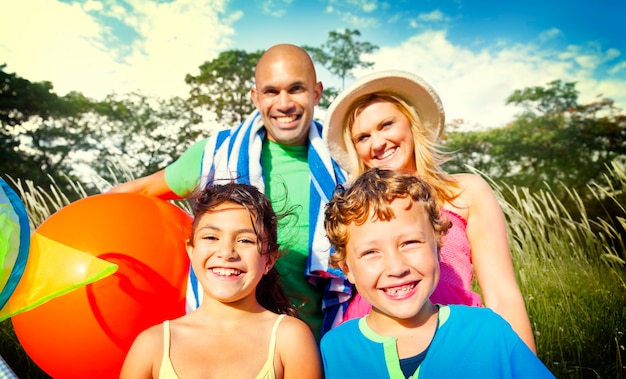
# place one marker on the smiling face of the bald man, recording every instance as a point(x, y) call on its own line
point(286, 94)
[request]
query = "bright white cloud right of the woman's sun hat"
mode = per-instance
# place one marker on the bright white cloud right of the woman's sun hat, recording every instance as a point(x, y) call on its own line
point(474, 85)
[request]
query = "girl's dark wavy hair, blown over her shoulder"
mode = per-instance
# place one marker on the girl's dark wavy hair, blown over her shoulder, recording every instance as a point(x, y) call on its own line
point(269, 292)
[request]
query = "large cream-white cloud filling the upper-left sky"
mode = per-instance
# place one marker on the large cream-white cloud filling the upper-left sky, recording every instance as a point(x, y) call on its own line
point(66, 44)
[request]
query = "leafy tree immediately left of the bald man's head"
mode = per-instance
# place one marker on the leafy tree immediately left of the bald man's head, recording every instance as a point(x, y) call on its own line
point(223, 85)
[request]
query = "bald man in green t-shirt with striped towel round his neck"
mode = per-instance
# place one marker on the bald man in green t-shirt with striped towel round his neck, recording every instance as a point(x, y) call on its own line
point(279, 149)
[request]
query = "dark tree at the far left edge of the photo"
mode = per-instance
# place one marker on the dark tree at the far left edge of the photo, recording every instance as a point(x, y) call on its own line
point(39, 130)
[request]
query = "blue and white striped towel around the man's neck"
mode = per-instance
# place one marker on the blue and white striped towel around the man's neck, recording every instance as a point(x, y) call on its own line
point(236, 154)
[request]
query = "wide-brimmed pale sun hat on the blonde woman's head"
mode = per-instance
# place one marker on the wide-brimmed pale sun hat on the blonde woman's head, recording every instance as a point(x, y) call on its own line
point(411, 88)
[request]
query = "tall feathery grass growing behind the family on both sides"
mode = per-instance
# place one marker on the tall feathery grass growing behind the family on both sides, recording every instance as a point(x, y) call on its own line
point(570, 270)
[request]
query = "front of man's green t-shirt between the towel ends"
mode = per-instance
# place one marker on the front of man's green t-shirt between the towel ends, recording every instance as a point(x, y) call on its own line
point(286, 171)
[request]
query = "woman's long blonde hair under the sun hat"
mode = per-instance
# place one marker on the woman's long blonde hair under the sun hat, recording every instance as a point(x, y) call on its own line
point(427, 153)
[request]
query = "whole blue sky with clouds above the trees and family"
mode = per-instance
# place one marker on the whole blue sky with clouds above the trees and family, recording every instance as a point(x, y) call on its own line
point(475, 53)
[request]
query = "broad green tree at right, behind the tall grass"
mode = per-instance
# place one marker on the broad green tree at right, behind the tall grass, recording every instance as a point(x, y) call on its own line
point(555, 141)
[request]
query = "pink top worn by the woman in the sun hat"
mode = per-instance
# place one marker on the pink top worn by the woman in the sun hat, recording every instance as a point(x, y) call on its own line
point(455, 281)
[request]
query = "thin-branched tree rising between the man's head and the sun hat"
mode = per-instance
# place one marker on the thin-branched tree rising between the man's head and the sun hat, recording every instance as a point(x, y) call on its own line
point(341, 54)
